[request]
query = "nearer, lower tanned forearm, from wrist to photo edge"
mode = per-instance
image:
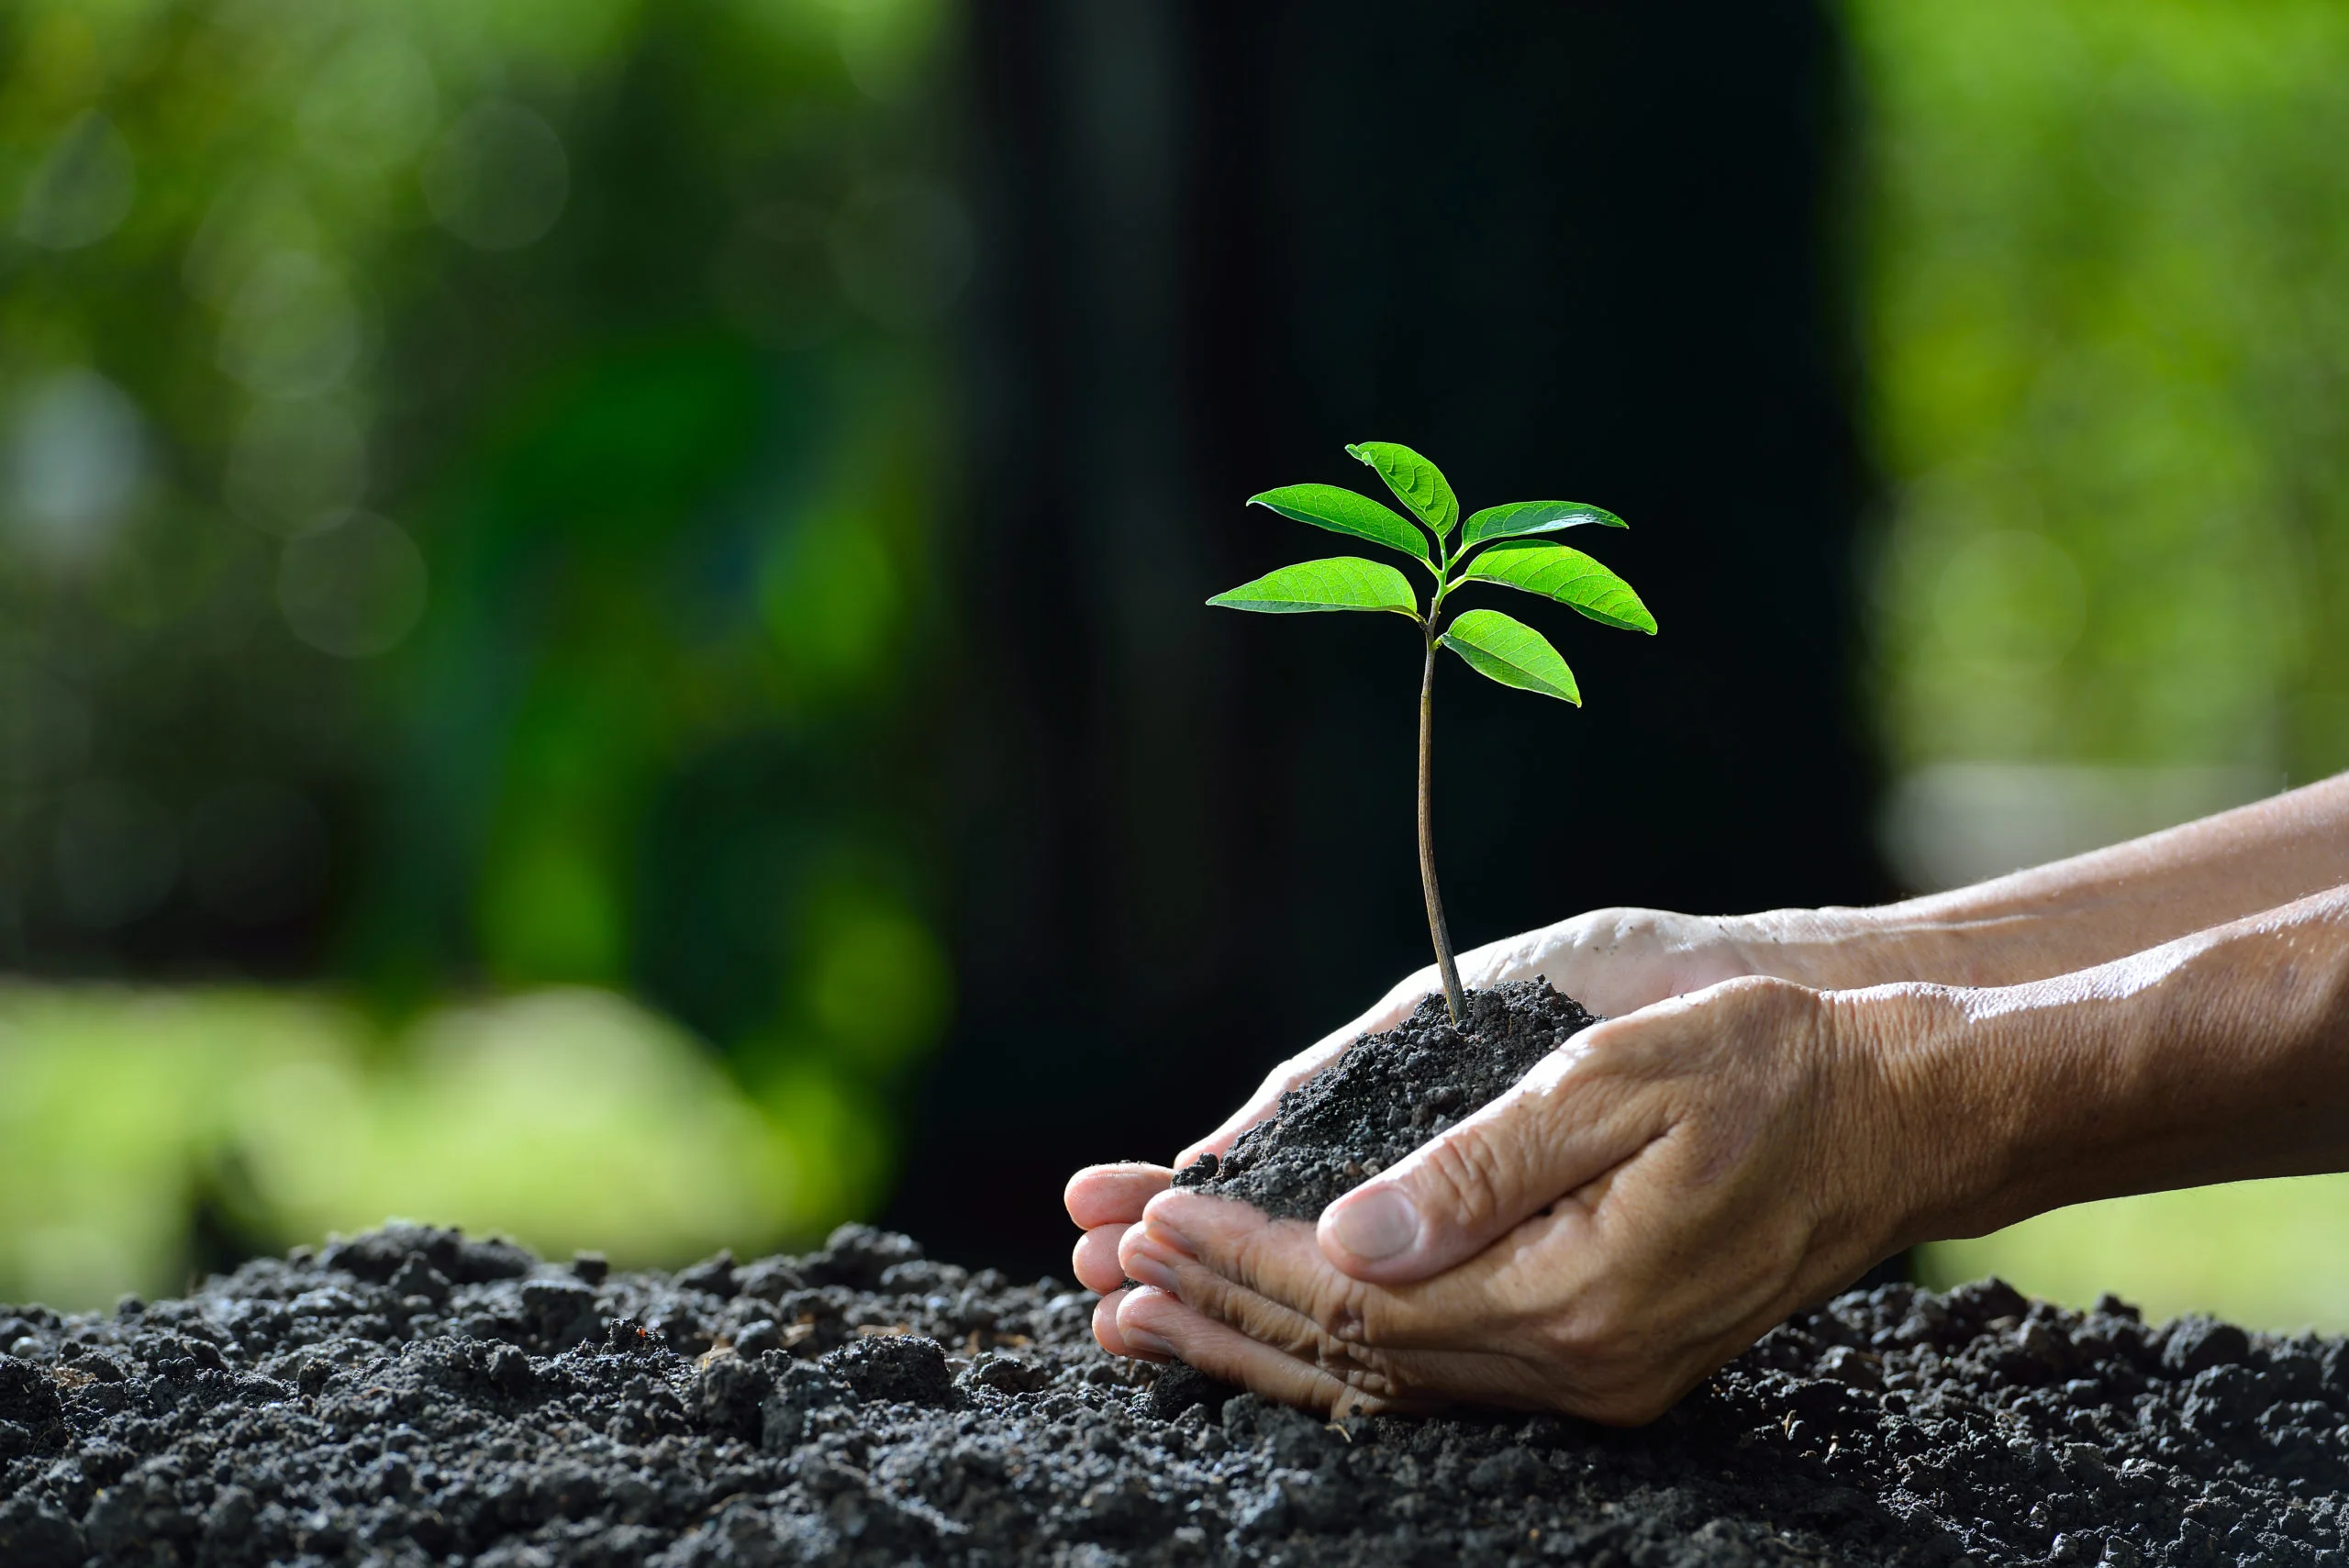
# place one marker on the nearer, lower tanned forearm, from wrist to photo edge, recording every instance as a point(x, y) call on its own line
point(2216, 1057)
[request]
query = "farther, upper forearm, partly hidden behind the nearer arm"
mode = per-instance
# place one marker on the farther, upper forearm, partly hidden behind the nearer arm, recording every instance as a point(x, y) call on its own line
point(2071, 914)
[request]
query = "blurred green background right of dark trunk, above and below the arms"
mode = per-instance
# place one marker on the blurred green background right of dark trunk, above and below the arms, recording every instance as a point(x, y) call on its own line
point(2106, 349)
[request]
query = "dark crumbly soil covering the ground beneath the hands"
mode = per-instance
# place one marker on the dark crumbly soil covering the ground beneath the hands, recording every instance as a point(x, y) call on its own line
point(417, 1398)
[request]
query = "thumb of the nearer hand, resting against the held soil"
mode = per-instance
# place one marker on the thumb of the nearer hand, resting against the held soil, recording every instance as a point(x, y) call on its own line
point(1474, 1184)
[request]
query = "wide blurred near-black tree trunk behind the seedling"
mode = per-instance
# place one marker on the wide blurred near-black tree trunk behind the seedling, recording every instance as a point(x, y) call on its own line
point(1563, 250)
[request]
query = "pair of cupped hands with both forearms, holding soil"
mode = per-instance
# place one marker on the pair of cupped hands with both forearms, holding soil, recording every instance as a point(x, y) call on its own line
point(1772, 1104)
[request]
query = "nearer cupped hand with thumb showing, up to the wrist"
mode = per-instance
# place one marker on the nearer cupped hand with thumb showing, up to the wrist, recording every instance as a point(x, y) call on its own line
point(1650, 1201)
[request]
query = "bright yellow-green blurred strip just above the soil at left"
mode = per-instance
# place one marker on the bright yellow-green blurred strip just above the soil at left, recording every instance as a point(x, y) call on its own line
point(565, 1116)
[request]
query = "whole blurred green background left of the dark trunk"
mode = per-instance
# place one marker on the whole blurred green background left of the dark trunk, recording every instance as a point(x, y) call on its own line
point(469, 499)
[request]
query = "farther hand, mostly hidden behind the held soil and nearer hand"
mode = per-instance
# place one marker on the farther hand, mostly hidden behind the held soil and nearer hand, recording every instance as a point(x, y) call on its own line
point(1613, 961)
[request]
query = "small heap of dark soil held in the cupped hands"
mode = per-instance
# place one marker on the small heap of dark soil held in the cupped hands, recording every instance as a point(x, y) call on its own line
point(1387, 1097)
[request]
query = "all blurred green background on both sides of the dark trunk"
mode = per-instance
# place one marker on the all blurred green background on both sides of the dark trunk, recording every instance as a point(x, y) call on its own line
point(480, 489)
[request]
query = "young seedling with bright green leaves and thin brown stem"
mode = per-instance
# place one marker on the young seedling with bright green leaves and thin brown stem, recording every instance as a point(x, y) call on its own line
point(1495, 546)
